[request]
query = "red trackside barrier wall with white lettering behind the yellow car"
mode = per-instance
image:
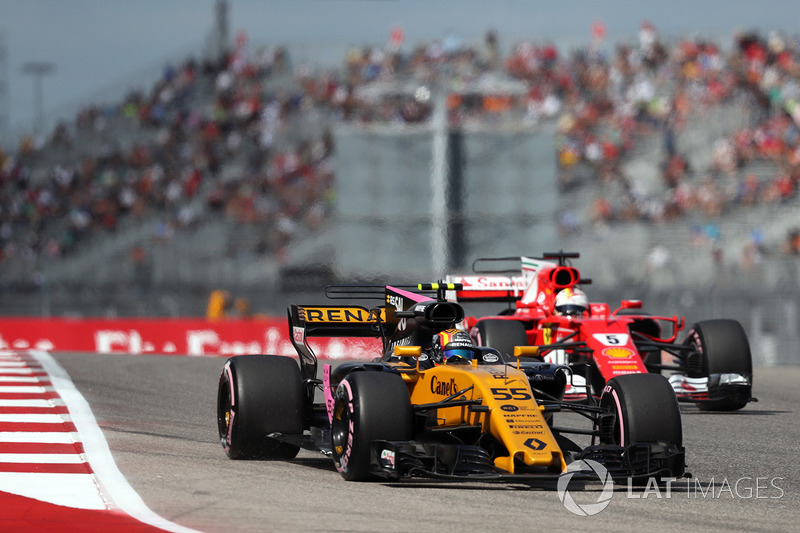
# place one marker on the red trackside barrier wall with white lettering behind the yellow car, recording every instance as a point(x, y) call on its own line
point(181, 336)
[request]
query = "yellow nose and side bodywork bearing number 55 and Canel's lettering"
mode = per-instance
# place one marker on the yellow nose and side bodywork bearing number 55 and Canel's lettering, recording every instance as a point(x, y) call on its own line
point(513, 416)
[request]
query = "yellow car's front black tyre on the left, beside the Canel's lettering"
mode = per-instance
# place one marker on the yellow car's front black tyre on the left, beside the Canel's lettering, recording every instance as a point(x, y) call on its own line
point(368, 406)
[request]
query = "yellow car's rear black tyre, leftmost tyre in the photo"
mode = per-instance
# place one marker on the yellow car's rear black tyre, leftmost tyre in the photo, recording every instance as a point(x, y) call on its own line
point(259, 395)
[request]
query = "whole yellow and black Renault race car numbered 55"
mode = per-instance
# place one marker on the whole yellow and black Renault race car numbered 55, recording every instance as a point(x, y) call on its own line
point(405, 414)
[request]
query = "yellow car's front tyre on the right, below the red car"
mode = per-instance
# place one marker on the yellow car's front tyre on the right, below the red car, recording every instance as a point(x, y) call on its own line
point(646, 410)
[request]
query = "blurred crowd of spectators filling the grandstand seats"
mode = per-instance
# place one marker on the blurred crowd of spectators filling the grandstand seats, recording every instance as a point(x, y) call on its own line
point(249, 137)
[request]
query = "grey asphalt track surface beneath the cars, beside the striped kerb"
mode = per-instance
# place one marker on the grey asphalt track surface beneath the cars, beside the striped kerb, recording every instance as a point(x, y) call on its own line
point(158, 416)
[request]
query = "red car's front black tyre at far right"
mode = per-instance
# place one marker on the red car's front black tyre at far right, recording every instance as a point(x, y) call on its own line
point(724, 349)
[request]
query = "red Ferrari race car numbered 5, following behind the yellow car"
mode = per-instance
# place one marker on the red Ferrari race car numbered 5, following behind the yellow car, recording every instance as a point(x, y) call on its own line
point(710, 366)
